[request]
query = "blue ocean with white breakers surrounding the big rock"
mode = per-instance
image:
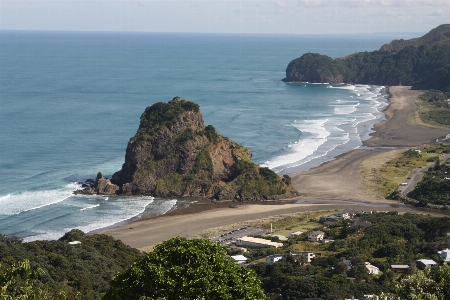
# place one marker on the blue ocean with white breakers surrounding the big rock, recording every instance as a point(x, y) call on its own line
point(70, 101)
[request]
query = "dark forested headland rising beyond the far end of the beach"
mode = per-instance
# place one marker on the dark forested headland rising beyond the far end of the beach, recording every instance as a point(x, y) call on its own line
point(423, 63)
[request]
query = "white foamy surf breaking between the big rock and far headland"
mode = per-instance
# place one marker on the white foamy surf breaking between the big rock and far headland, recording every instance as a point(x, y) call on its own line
point(349, 124)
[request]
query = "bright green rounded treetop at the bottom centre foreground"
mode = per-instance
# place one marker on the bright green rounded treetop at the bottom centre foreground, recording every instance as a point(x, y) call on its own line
point(186, 269)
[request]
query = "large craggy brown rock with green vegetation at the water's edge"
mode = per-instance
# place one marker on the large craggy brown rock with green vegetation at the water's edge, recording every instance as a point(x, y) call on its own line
point(174, 154)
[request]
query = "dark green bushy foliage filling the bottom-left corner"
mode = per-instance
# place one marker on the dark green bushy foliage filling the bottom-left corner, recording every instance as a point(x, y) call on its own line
point(66, 271)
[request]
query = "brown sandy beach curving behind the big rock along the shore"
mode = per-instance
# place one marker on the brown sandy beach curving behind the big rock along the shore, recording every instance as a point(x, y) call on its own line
point(338, 179)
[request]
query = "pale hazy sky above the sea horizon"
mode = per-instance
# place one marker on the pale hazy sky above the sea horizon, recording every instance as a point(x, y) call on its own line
point(269, 16)
